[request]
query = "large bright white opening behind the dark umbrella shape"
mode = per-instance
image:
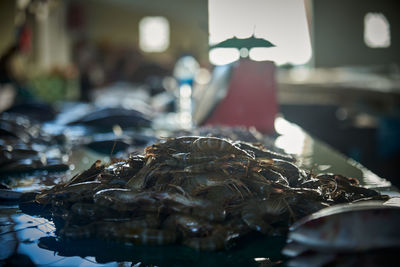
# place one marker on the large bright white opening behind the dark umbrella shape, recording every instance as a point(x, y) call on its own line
point(282, 22)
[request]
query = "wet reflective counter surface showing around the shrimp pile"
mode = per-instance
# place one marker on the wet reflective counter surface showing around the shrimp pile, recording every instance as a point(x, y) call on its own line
point(26, 239)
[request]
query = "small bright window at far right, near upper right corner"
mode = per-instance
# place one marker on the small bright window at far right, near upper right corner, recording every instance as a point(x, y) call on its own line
point(376, 30)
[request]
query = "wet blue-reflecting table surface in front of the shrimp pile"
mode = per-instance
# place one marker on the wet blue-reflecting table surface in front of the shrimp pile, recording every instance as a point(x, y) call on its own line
point(22, 234)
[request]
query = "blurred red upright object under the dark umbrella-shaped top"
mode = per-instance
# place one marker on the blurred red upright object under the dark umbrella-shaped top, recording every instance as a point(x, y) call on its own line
point(251, 98)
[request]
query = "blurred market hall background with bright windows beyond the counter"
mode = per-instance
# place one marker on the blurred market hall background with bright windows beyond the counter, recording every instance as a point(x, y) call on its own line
point(336, 63)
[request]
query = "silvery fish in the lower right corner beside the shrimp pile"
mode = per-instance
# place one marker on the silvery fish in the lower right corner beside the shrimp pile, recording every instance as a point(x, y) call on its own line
point(345, 231)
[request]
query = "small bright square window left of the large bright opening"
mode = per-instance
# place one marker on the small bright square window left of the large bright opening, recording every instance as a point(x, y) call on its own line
point(153, 34)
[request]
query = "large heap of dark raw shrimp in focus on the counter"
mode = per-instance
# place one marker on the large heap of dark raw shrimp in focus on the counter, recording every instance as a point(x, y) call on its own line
point(203, 192)
